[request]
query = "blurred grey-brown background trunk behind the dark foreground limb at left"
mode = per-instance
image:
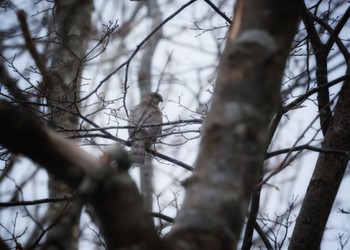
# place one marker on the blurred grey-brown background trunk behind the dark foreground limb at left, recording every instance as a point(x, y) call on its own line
point(72, 26)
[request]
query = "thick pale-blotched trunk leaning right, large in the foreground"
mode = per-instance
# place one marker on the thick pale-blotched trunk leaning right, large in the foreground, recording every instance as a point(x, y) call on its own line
point(235, 135)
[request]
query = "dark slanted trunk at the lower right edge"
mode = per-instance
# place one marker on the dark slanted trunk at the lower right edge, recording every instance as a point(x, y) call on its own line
point(326, 178)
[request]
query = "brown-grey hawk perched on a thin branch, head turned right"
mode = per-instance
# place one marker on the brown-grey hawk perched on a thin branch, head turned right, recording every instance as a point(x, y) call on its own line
point(145, 126)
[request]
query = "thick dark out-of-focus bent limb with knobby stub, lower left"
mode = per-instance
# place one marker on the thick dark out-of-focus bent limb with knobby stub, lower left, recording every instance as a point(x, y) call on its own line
point(111, 191)
